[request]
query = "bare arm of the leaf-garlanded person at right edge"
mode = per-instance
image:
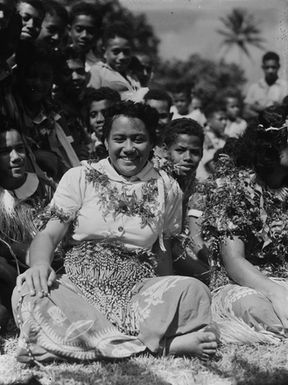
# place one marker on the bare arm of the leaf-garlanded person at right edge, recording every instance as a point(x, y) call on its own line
point(246, 274)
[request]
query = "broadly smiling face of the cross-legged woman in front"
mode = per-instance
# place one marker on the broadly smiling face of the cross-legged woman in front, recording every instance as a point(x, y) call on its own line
point(128, 145)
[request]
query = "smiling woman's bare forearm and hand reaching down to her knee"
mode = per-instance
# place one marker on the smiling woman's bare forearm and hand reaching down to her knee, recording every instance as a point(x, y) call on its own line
point(40, 275)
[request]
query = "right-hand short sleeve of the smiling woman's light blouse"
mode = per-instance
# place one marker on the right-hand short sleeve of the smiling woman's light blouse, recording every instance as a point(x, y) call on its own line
point(173, 208)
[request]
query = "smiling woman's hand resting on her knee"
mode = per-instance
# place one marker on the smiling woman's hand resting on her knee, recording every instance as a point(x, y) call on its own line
point(38, 279)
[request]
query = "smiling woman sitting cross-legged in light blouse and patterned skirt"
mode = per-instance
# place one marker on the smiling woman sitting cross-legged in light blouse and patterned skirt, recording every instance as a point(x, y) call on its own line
point(117, 297)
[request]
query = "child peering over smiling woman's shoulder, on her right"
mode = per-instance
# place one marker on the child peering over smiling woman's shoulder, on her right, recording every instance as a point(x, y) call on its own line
point(181, 154)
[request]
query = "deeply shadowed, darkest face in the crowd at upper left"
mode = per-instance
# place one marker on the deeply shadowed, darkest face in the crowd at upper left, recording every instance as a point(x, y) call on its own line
point(37, 82)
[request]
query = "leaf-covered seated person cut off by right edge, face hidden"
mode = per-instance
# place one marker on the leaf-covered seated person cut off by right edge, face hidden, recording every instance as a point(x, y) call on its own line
point(245, 222)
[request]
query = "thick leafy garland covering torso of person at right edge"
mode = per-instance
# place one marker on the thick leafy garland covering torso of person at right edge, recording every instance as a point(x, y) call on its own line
point(238, 205)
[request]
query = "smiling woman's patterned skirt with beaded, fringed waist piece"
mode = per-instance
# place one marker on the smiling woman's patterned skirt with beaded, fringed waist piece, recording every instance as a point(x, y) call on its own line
point(109, 304)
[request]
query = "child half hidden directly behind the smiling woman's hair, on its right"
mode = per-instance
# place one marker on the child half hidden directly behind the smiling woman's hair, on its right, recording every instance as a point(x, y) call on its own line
point(161, 101)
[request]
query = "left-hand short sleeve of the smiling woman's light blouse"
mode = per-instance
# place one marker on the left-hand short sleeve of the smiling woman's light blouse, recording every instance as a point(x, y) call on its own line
point(68, 196)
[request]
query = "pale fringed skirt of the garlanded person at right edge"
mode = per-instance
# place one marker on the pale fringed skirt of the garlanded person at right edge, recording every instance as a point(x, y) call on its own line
point(245, 316)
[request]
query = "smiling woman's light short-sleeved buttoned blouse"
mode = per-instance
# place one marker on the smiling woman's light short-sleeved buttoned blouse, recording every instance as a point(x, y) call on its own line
point(95, 211)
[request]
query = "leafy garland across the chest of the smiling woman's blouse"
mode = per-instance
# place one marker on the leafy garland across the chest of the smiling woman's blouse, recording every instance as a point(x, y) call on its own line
point(121, 201)
